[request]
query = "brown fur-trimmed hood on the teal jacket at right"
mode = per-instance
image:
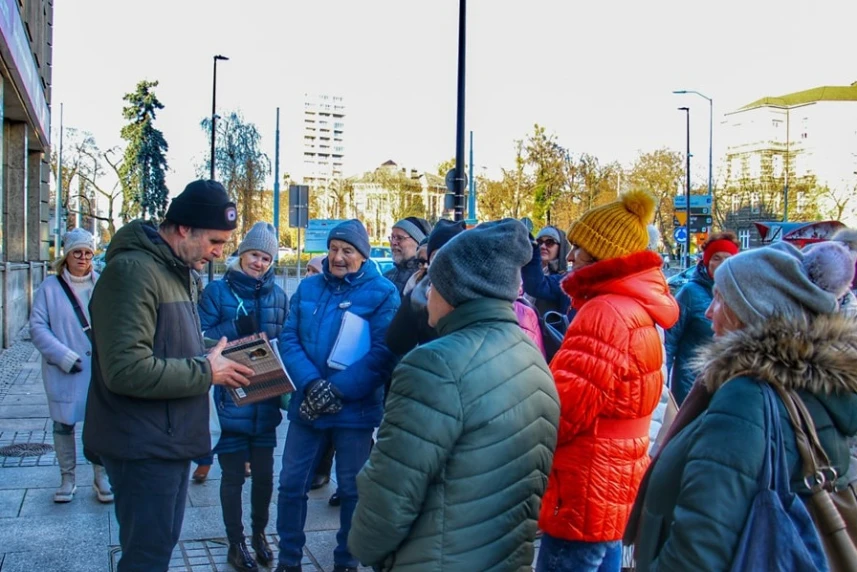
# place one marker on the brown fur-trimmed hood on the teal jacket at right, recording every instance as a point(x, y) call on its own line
point(817, 355)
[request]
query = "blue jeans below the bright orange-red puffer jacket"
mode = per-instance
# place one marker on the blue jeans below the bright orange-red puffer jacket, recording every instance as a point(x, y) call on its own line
point(558, 555)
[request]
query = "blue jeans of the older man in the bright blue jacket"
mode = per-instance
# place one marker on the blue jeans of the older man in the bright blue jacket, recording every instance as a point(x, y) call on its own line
point(304, 449)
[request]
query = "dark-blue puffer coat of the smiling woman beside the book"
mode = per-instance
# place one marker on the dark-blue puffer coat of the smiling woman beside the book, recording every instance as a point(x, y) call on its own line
point(222, 302)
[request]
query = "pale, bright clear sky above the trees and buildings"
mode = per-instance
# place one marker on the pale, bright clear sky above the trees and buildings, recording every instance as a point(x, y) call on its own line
point(598, 74)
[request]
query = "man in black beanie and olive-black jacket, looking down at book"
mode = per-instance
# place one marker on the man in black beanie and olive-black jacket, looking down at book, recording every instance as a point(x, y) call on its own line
point(147, 409)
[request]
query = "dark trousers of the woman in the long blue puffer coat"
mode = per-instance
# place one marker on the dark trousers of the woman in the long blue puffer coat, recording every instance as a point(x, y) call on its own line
point(232, 481)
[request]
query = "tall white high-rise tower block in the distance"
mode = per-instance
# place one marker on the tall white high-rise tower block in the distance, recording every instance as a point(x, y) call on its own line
point(323, 139)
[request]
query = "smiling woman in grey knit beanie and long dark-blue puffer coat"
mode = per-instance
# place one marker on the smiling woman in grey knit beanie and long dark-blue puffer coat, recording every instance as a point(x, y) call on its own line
point(246, 301)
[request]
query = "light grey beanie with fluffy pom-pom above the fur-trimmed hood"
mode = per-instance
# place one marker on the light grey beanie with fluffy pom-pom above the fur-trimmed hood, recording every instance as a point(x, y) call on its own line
point(775, 280)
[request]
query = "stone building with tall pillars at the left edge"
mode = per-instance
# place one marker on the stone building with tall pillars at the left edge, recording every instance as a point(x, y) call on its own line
point(26, 49)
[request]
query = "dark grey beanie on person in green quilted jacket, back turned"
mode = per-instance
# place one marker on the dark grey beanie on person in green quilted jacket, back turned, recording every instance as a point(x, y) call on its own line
point(484, 262)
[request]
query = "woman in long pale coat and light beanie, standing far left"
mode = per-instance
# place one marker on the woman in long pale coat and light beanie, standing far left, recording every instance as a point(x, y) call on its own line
point(60, 307)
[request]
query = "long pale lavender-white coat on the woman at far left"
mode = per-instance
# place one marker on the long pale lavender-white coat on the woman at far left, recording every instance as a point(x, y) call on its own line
point(57, 334)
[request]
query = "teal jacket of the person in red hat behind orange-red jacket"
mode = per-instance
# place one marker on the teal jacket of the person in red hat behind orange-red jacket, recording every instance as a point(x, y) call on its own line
point(691, 331)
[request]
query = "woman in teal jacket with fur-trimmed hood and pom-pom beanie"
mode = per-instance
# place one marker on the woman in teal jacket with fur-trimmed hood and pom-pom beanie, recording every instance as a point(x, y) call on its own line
point(776, 325)
